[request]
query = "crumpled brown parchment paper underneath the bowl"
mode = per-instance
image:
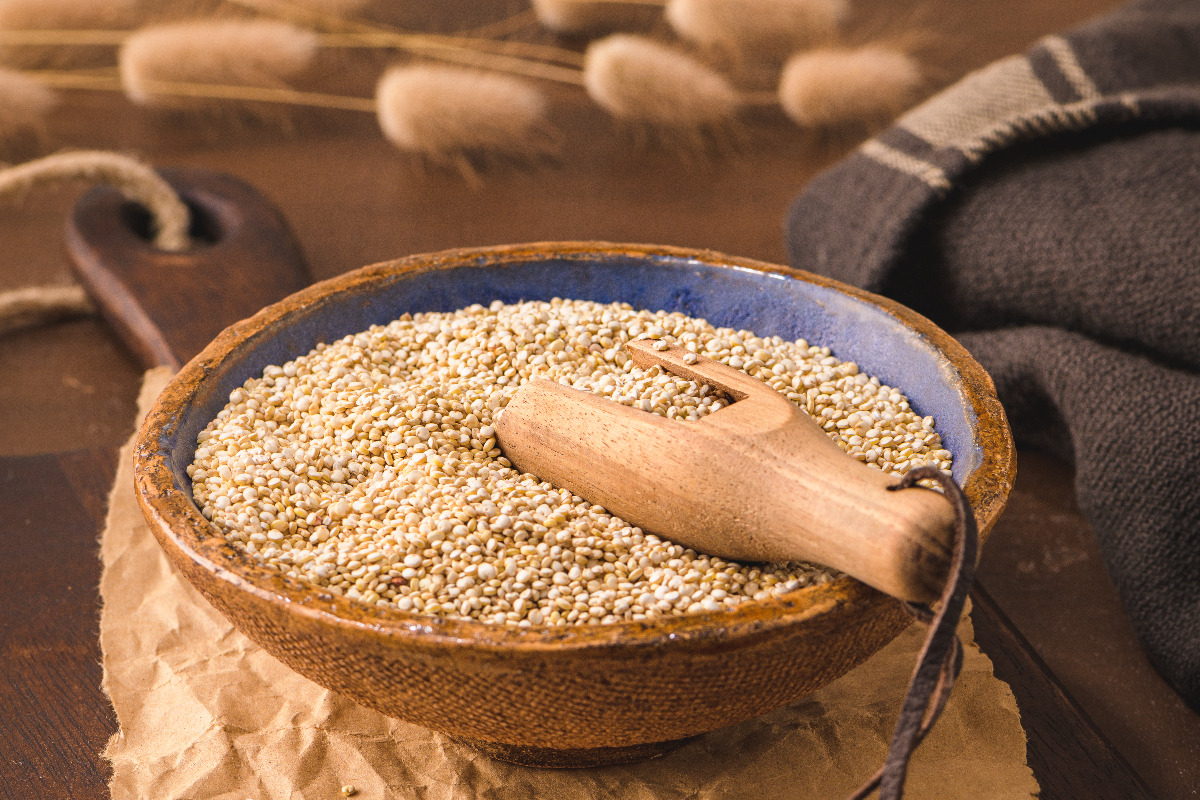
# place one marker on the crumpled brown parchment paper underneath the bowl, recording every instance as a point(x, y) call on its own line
point(206, 714)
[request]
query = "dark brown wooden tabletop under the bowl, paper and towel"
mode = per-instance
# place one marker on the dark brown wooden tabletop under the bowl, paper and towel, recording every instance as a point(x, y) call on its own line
point(1101, 723)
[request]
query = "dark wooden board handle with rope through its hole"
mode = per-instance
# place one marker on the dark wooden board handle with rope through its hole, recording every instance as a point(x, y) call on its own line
point(169, 306)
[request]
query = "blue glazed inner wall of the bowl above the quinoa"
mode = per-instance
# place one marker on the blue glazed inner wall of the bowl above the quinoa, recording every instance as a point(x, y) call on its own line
point(733, 297)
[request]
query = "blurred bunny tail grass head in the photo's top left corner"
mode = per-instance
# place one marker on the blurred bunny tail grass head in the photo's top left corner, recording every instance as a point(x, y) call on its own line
point(41, 16)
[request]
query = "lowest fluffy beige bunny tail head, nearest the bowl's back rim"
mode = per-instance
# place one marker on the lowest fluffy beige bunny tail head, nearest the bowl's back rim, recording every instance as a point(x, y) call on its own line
point(455, 116)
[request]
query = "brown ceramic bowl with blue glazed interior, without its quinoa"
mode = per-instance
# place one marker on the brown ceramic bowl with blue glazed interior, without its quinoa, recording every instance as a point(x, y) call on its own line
point(590, 695)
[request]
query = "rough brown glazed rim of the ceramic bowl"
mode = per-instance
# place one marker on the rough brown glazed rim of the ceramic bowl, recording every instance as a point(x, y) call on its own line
point(177, 522)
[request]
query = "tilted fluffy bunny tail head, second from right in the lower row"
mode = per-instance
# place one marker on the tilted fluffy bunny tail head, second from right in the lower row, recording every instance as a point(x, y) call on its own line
point(643, 81)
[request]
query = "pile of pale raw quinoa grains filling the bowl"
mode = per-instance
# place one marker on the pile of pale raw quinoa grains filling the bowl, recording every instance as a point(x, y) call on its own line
point(370, 467)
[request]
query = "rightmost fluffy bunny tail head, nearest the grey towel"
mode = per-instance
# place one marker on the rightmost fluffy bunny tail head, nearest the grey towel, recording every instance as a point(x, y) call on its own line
point(849, 88)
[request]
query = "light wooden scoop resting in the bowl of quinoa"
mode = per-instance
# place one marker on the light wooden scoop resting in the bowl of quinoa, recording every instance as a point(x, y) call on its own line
point(758, 480)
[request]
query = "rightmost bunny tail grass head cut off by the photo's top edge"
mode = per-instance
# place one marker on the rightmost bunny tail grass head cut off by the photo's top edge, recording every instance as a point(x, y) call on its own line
point(757, 31)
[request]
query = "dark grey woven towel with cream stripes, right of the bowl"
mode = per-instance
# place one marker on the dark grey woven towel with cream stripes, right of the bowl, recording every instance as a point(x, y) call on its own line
point(1047, 212)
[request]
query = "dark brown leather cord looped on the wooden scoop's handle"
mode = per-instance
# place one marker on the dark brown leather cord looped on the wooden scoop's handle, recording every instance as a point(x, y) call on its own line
point(941, 657)
